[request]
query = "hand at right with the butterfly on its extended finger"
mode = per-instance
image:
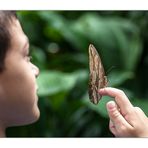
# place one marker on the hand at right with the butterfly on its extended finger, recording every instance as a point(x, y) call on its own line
point(125, 119)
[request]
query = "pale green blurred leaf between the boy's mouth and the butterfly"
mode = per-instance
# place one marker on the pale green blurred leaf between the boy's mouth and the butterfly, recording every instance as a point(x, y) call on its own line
point(52, 82)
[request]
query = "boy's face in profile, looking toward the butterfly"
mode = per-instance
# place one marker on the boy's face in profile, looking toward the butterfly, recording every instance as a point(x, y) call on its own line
point(18, 88)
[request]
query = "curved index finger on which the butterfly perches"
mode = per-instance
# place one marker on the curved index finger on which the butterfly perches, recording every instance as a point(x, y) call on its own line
point(120, 98)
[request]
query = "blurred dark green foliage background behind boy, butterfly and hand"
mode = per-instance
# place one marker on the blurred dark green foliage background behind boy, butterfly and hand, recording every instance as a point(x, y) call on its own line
point(59, 43)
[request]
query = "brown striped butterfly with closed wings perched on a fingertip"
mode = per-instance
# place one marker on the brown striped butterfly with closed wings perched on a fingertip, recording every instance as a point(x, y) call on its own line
point(97, 78)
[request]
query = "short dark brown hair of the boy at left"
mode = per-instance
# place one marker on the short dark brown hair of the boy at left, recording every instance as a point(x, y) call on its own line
point(6, 18)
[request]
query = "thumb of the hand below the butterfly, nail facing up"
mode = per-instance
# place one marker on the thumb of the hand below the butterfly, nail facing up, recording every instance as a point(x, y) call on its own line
point(115, 116)
